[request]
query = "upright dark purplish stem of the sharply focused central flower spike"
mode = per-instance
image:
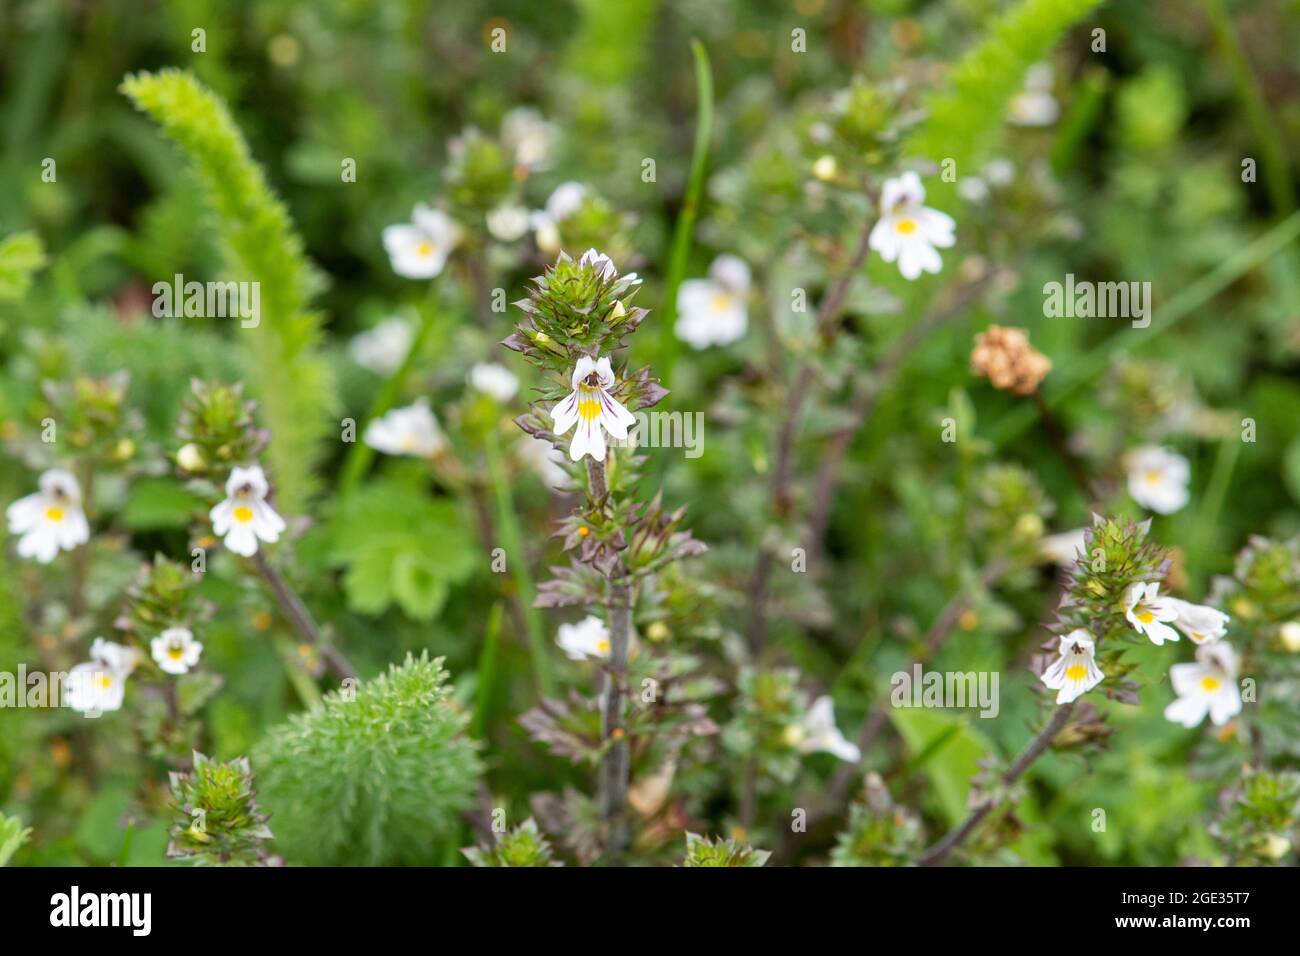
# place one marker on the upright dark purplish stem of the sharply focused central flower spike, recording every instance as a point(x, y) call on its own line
point(616, 765)
